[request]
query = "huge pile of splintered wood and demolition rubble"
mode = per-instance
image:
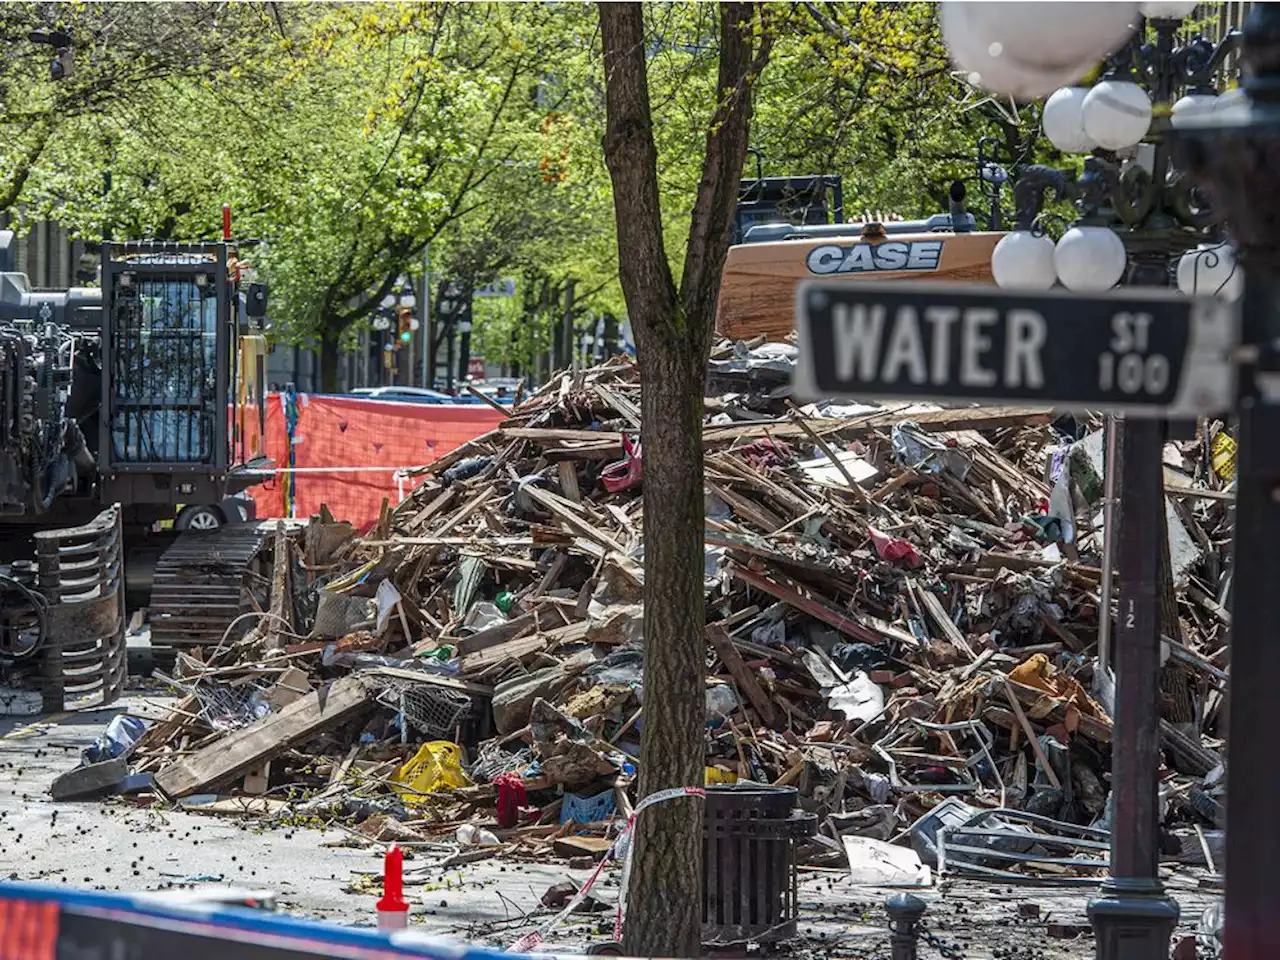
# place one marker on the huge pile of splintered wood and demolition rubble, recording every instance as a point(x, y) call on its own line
point(903, 612)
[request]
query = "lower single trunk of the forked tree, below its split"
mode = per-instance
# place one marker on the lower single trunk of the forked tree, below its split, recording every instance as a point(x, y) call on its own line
point(665, 897)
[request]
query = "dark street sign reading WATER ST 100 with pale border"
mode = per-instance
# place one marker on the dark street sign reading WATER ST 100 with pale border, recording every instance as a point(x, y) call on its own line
point(1144, 351)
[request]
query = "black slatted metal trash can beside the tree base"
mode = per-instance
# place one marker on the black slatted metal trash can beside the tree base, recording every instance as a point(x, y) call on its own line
point(749, 870)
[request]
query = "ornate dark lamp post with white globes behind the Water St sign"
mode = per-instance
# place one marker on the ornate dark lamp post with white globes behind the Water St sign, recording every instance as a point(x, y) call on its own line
point(1140, 221)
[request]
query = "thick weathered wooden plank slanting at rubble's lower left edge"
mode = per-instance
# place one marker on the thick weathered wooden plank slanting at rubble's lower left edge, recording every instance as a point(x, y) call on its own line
point(248, 748)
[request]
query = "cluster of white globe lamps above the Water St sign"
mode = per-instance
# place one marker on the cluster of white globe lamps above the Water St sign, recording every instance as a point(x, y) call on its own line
point(1132, 207)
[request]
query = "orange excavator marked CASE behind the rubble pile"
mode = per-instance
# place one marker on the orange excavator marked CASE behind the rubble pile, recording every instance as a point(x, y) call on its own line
point(784, 236)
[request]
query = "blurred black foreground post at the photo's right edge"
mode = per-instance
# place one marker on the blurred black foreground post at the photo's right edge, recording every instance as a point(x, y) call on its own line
point(1240, 163)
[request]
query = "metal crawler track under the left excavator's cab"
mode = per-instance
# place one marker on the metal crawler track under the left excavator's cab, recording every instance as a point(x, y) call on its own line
point(204, 582)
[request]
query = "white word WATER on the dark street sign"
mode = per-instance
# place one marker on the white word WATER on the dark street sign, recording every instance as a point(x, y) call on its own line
point(911, 353)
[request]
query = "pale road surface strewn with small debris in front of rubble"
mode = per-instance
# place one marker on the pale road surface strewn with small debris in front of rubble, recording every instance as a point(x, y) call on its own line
point(118, 847)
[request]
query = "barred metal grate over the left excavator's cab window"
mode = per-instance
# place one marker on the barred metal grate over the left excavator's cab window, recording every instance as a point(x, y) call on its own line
point(164, 355)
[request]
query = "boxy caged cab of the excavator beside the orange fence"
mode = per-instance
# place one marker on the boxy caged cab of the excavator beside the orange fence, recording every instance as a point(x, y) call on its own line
point(176, 386)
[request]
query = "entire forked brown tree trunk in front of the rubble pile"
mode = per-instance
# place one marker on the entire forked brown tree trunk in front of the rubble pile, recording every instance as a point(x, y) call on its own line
point(674, 333)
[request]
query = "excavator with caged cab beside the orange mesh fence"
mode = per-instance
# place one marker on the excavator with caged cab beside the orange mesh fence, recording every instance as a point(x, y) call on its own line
point(126, 409)
